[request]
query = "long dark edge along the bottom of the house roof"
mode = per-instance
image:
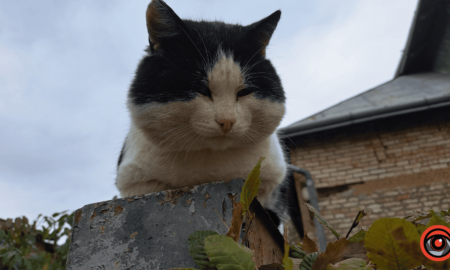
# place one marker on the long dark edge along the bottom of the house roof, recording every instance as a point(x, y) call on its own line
point(351, 119)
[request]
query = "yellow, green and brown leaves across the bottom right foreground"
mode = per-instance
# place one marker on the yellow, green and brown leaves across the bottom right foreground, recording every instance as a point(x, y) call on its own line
point(390, 243)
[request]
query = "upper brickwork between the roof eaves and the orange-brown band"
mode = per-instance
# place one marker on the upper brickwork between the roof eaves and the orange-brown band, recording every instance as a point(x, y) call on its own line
point(352, 156)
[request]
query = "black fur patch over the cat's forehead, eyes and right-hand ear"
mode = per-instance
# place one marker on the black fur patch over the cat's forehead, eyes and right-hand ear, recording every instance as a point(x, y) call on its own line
point(179, 66)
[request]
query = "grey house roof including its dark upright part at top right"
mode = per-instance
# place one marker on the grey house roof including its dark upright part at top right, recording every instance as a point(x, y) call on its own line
point(422, 80)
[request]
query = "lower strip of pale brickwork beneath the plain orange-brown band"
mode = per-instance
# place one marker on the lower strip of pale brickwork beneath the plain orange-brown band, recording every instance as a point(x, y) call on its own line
point(340, 209)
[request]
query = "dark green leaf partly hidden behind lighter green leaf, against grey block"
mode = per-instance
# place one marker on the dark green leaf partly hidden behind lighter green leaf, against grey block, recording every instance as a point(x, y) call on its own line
point(196, 245)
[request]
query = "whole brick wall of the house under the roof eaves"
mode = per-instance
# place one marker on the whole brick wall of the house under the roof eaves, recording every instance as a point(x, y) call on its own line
point(388, 166)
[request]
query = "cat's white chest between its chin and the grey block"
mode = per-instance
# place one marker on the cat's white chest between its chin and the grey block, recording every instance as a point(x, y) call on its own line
point(143, 162)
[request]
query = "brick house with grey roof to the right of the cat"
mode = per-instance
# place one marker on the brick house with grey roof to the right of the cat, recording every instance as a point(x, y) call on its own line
point(386, 150)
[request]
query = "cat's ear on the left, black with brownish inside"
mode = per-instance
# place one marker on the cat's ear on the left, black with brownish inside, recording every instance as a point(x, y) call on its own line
point(162, 24)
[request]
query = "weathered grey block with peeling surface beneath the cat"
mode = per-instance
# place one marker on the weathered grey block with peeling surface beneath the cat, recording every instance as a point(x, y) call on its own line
point(150, 231)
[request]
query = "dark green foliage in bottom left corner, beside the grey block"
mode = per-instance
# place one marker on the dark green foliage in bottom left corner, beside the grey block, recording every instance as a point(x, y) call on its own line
point(26, 246)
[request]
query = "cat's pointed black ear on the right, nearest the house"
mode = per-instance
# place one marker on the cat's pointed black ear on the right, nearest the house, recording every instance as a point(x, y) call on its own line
point(262, 30)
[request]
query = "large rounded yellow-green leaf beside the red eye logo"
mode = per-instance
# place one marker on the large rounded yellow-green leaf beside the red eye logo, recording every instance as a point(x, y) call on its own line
point(383, 240)
